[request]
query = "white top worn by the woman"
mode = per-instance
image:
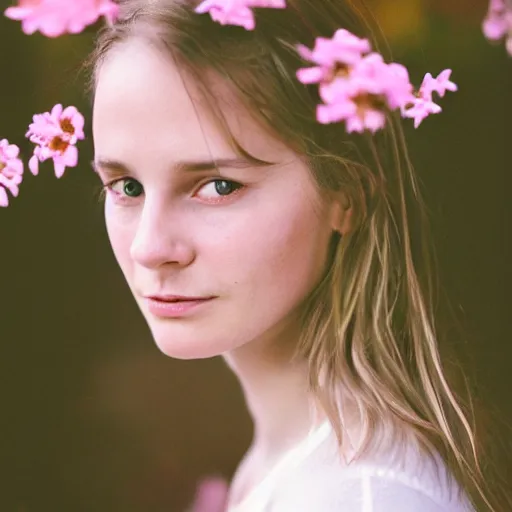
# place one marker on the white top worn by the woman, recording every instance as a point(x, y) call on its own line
point(310, 478)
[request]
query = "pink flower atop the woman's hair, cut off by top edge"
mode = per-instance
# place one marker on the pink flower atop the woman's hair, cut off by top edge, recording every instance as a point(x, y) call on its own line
point(236, 12)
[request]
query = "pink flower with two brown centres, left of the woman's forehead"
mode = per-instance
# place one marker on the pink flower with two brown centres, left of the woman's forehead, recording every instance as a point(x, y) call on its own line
point(56, 133)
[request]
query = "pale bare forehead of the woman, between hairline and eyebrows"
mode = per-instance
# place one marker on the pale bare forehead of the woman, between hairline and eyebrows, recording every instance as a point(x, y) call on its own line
point(142, 94)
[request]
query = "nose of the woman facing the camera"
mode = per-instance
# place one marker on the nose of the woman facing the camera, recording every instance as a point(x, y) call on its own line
point(161, 239)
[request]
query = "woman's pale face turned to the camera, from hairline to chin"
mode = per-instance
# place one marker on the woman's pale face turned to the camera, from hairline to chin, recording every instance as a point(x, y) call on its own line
point(215, 258)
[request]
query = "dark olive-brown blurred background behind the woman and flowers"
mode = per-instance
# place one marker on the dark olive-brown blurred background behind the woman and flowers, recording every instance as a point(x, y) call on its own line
point(93, 417)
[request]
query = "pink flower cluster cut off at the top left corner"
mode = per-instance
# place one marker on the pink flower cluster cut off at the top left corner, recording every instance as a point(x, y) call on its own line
point(56, 17)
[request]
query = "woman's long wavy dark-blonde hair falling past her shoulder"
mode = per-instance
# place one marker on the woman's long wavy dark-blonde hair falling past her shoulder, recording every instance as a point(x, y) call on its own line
point(369, 326)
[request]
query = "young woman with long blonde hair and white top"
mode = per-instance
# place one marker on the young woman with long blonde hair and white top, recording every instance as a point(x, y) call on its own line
point(245, 228)
